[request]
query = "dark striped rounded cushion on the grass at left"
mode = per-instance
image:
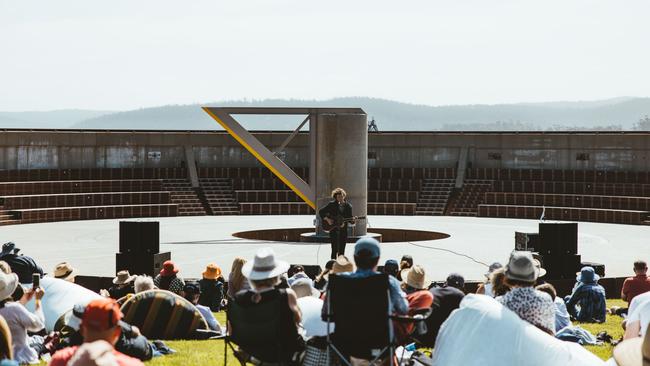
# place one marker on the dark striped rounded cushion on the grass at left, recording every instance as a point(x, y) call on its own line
point(163, 315)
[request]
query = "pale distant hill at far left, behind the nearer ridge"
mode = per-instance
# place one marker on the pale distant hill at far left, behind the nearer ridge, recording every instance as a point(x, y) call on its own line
point(63, 118)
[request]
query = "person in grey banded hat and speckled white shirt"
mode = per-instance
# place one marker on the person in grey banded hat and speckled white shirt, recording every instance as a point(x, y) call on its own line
point(531, 305)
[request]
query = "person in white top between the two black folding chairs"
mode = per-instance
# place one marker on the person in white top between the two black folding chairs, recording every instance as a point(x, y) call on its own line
point(310, 307)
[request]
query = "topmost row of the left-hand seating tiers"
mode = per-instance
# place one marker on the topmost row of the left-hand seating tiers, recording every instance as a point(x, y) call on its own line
point(91, 174)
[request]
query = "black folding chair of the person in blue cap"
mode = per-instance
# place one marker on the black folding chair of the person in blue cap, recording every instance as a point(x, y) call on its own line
point(359, 308)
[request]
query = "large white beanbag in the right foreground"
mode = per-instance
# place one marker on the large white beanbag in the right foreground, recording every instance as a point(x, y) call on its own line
point(483, 332)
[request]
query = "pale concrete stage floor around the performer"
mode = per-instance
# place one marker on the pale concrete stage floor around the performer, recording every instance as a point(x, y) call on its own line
point(90, 246)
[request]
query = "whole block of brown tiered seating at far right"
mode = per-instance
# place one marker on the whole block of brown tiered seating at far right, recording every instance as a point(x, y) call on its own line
point(615, 197)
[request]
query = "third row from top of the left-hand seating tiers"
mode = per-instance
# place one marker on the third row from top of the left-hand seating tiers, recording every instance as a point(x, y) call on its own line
point(83, 199)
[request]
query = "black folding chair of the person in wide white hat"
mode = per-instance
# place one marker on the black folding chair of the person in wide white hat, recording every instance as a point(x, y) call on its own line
point(257, 331)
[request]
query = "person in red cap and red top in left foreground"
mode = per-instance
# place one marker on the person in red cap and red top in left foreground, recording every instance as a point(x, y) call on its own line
point(100, 321)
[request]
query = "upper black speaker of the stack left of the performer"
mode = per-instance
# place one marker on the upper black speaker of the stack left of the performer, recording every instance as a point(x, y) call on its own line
point(139, 237)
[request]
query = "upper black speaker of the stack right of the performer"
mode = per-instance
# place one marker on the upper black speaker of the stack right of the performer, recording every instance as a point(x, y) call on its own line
point(558, 238)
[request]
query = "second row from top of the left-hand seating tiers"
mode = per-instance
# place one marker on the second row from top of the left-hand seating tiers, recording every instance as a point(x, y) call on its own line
point(80, 186)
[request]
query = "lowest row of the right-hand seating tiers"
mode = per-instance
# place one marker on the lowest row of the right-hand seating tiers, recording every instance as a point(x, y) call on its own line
point(564, 213)
